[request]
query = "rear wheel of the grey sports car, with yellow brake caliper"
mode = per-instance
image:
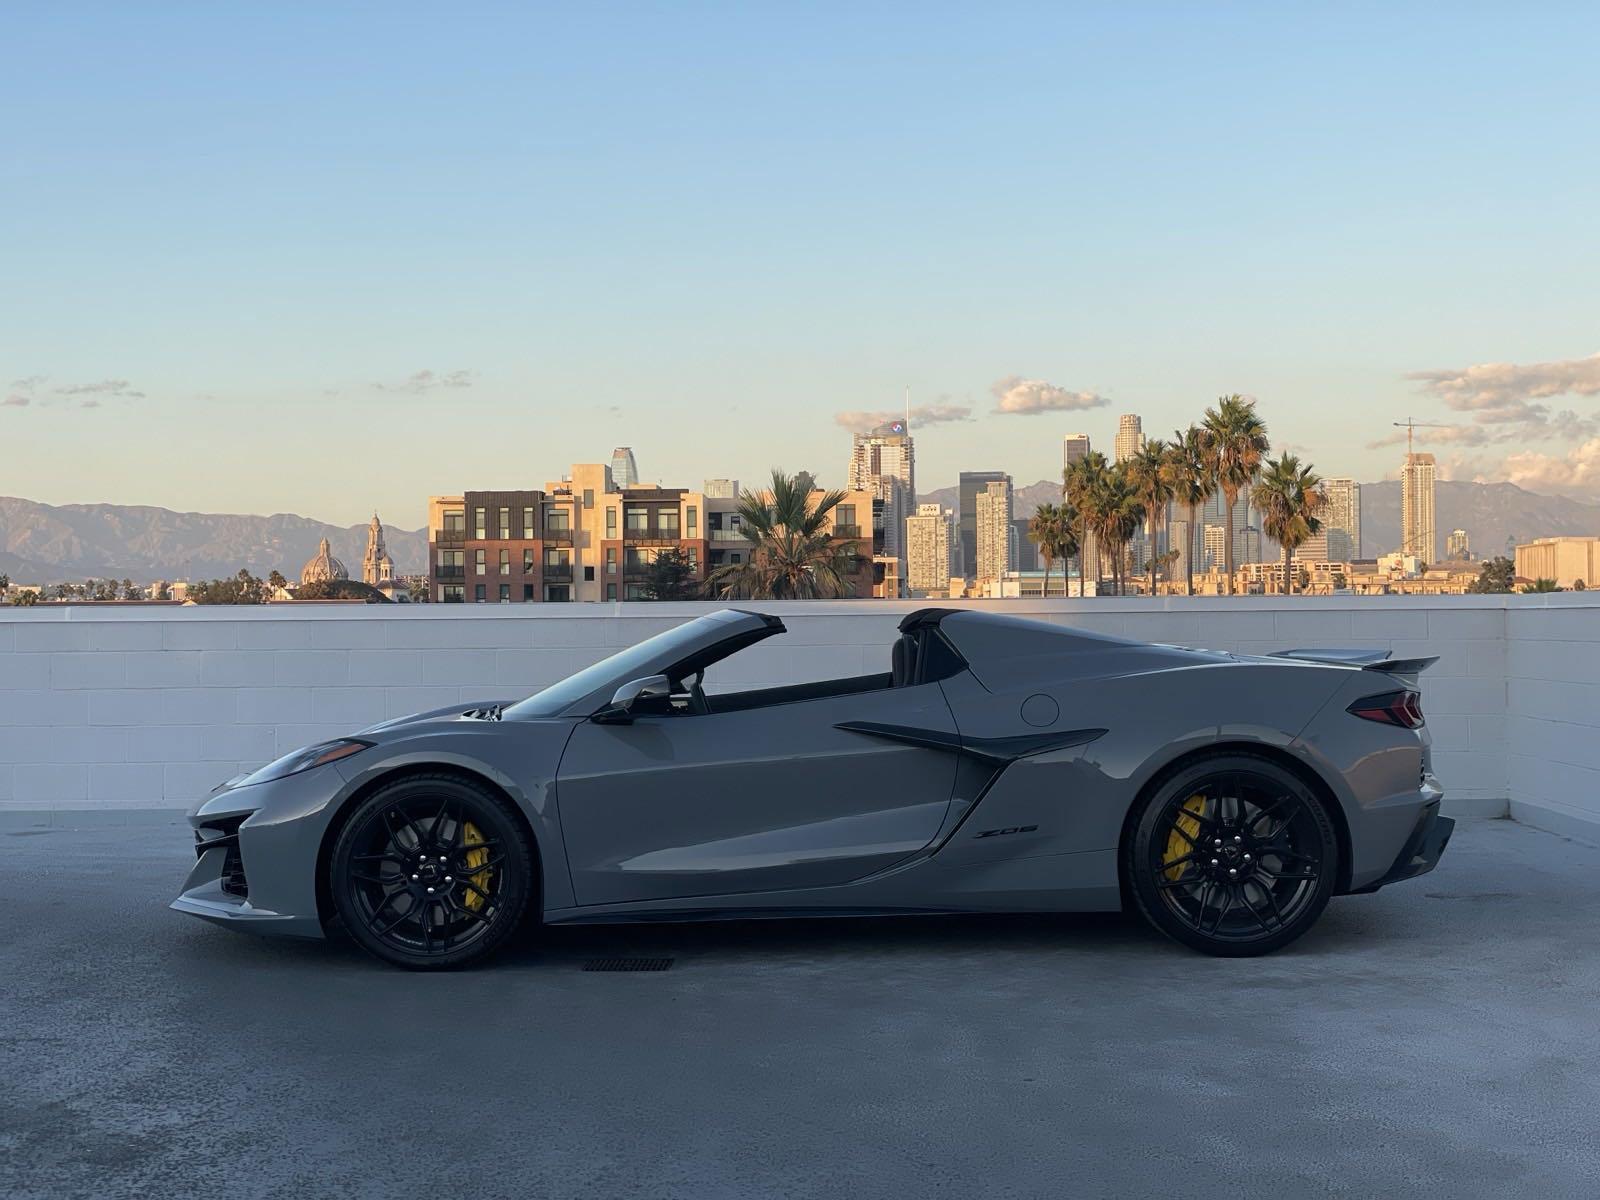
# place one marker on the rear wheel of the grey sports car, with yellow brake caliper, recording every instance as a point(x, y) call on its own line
point(1233, 855)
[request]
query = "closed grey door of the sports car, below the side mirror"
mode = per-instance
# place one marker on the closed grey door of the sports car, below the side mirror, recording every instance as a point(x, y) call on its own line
point(751, 801)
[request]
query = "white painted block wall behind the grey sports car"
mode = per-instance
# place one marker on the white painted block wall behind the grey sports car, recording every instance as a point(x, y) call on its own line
point(106, 708)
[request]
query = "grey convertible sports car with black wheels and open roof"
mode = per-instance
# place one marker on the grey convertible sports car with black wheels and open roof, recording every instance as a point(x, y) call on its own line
point(1001, 766)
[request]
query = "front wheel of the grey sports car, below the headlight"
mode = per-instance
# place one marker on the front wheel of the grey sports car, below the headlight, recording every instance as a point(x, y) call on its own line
point(433, 873)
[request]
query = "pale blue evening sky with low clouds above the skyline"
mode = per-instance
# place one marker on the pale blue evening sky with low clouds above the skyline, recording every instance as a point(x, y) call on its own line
point(334, 258)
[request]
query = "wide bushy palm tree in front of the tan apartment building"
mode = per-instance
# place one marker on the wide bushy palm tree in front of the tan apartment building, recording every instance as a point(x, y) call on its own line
point(794, 554)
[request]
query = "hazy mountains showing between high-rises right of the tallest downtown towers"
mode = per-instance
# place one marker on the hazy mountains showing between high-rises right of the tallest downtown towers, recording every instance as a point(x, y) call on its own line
point(1490, 513)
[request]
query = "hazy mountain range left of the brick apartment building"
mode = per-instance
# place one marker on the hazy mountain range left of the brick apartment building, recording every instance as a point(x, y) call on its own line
point(46, 543)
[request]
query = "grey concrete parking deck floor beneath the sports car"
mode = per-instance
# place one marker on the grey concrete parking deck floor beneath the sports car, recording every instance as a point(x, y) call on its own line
point(1438, 1039)
